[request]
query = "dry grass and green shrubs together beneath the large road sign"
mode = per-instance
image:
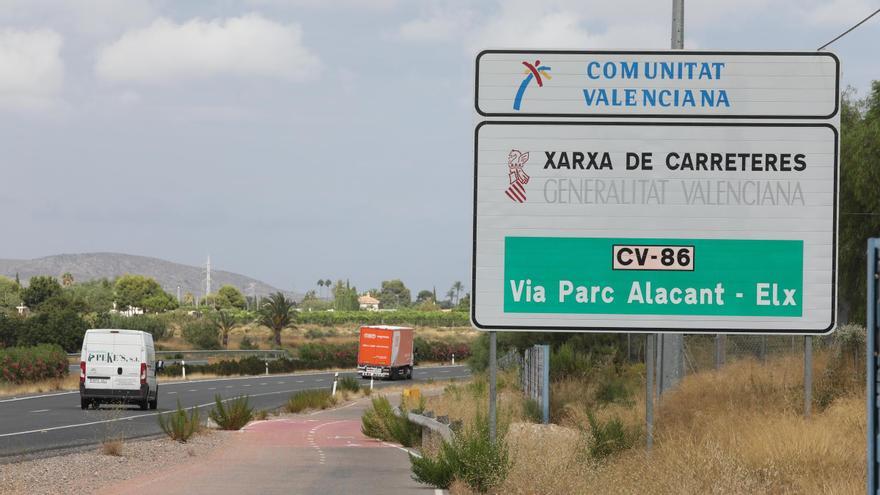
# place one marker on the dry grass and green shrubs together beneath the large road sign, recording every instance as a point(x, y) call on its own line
point(736, 430)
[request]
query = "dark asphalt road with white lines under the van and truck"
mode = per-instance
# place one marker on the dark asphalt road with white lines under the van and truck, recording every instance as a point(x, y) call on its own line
point(35, 424)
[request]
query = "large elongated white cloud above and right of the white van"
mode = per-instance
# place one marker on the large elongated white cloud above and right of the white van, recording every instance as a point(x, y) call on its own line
point(247, 46)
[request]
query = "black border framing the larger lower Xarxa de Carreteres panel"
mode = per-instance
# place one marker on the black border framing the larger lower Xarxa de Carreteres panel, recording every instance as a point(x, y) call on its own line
point(671, 330)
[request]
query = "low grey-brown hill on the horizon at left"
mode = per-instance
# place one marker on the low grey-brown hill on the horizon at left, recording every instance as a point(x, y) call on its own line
point(90, 266)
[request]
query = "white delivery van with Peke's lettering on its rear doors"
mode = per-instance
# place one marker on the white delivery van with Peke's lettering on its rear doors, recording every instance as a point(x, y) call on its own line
point(118, 366)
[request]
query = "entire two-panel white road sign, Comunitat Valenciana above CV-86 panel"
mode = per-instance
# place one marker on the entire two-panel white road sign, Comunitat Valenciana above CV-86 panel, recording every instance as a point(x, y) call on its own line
point(714, 219)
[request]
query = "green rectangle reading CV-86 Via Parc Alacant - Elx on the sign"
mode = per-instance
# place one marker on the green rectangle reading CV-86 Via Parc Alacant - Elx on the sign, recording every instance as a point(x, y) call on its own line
point(626, 276)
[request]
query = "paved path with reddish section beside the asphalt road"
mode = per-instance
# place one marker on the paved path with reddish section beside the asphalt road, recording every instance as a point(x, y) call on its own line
point(323, 452)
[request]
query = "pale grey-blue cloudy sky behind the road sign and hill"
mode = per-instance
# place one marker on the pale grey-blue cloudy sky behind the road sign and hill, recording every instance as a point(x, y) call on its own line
point(301, 139)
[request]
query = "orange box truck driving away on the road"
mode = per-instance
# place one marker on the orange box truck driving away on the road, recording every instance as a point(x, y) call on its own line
point(385, 352)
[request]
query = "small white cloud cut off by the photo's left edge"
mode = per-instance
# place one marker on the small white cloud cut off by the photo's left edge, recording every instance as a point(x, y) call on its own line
point(31, 69)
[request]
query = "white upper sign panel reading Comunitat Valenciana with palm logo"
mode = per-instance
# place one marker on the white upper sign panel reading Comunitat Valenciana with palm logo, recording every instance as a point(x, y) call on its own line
point(671, 84)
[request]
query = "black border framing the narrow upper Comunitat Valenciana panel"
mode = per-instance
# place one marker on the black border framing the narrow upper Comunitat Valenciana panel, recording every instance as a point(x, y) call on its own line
point(653, 116)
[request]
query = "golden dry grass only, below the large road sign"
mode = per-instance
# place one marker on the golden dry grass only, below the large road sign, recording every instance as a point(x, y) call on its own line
point(739, 430)
